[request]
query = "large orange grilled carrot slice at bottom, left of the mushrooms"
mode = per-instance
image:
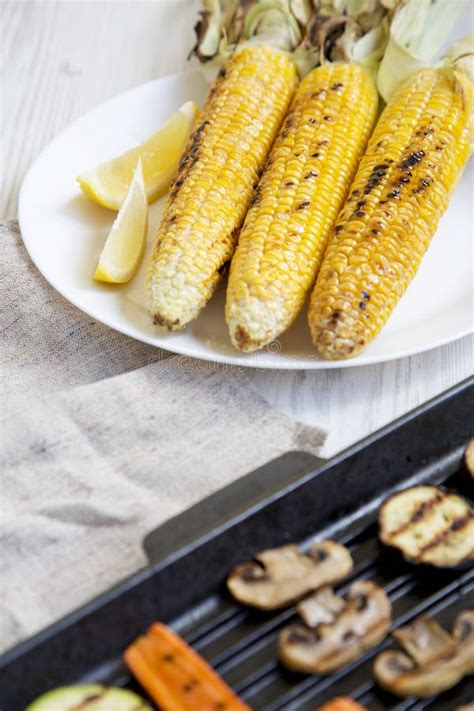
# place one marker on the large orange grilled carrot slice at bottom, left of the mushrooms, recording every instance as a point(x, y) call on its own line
point(175, 676)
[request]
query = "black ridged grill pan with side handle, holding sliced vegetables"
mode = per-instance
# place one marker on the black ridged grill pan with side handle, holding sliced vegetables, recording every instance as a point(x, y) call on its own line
point(295, 498)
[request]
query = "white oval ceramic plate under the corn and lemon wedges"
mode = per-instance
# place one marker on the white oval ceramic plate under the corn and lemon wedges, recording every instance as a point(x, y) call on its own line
point(64, 233)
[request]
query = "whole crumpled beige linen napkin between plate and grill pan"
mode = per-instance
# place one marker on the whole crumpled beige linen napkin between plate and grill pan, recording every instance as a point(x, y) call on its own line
point(103, 438)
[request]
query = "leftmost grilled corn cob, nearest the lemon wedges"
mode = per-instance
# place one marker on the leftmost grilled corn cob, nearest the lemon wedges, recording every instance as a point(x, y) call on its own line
point(215, 182)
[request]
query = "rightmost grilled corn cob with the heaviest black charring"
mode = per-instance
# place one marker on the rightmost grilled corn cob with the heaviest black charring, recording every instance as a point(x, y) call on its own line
point(403, 185)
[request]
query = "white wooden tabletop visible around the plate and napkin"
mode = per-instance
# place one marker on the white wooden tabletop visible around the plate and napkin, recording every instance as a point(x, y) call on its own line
point(61, 59)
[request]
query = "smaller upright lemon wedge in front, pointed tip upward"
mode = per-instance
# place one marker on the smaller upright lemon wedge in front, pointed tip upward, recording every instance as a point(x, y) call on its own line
point(123, 250)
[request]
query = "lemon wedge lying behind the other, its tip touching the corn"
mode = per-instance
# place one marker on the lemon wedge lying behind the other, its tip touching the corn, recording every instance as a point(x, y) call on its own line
point(109, 182)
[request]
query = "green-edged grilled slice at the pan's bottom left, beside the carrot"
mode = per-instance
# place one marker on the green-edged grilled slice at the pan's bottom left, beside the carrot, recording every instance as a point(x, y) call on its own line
point(90, 697)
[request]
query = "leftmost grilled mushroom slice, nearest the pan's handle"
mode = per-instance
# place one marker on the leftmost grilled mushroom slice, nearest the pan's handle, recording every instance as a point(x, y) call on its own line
point(283, 575)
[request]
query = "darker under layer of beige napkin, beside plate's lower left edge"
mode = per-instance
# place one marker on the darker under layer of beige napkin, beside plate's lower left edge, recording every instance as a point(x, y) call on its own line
point(47, 343)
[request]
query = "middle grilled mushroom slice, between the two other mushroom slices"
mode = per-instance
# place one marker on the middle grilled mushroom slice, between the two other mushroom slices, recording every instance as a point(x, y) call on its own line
point(336, 630)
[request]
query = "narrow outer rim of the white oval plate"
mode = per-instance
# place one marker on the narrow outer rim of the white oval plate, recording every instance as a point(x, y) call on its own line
point(239, 360)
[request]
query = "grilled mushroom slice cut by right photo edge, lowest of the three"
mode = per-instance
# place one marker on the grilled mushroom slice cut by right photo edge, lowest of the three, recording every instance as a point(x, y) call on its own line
point(435, 661)
